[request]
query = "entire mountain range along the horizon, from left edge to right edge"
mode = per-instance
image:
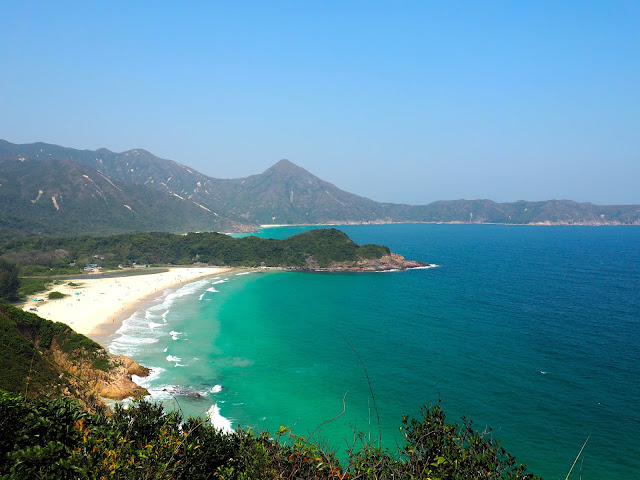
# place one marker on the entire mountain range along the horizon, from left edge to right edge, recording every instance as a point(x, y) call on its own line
point(169, 196)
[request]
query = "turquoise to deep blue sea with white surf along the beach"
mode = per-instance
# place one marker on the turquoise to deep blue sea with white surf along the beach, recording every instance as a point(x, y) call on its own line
point(533, 331)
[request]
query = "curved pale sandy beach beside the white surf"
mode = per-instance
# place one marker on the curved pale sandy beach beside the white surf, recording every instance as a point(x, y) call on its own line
point(96, 306)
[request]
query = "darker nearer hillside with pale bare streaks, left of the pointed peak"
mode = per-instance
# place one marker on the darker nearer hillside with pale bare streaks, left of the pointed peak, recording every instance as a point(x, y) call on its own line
point(54, 197)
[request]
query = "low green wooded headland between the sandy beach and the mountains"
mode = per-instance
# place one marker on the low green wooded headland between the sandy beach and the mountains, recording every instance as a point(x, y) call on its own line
point(42, 255)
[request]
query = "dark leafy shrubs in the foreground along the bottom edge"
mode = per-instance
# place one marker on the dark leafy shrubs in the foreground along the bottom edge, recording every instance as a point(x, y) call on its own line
point(56, 439)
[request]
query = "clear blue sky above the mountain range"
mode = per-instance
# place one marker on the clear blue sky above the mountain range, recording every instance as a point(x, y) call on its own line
point(398, 101)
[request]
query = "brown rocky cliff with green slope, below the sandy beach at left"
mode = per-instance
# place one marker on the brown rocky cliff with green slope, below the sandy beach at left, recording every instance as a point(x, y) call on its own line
point(47, 359)
